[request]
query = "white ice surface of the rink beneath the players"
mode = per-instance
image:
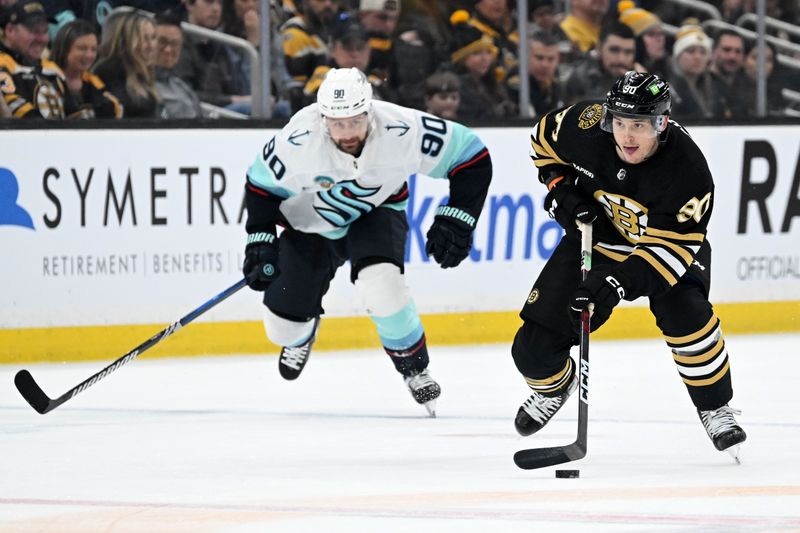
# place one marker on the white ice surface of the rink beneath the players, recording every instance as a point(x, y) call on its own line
point(225, 445)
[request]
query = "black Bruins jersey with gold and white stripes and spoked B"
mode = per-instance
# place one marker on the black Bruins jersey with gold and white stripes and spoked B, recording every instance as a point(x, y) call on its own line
point(656, 212)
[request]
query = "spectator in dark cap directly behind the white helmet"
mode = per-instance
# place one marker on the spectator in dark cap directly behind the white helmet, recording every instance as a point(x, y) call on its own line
point(349, 49)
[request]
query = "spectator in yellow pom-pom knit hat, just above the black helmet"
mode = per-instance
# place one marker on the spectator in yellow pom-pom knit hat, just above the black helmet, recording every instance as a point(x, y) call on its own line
point(651, 39)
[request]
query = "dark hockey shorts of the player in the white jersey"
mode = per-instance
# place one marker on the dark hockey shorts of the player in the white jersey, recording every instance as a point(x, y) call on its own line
point(307, 262)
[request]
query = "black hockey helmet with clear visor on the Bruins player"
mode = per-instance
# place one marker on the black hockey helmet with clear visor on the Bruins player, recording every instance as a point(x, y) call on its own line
point(638, 95)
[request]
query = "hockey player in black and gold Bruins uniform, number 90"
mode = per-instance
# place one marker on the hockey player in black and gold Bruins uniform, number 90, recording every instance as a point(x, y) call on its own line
point(642, 182)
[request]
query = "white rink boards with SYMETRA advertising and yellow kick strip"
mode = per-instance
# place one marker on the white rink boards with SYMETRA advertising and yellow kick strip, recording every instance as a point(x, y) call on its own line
point(109, 235)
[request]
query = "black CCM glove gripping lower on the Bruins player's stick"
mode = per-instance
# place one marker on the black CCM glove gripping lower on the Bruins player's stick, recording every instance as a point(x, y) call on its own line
point(604, 289)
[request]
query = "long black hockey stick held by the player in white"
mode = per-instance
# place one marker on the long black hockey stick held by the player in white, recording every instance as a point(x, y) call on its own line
point(36, 397)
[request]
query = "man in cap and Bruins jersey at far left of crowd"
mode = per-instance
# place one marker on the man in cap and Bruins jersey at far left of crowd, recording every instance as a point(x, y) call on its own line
point(31, 87)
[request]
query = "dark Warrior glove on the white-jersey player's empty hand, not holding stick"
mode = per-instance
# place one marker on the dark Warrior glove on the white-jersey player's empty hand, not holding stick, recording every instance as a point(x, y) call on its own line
point(450, 236)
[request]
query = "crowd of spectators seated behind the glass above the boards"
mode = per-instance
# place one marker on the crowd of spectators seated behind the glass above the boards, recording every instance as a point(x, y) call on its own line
point(118, 59)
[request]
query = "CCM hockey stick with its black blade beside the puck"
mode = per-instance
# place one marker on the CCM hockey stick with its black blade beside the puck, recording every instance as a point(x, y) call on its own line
point(541, 457)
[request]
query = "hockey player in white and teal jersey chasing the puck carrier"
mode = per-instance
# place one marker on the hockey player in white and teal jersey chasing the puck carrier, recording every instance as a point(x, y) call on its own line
point(335, 178)
